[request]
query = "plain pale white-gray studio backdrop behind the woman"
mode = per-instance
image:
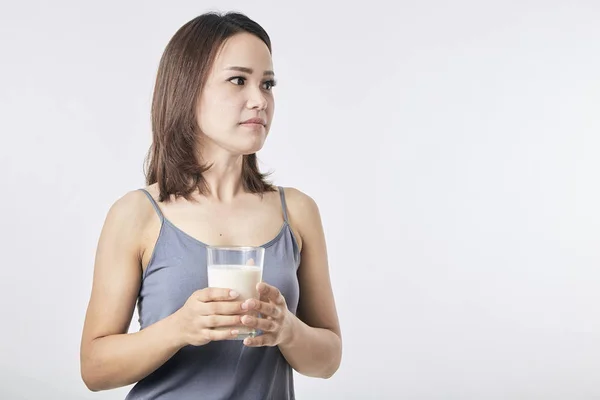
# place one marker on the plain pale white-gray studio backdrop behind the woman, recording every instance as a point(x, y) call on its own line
point(452, 147)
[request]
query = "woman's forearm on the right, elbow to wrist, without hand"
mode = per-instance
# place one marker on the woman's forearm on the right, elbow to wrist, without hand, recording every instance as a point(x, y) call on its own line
point(314, 352)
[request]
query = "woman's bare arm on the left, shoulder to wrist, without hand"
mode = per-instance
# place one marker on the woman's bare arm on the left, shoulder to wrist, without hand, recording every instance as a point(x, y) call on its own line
point(110, 357)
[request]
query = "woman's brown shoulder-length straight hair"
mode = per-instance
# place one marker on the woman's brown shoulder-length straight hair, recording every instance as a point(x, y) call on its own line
point(186, 61)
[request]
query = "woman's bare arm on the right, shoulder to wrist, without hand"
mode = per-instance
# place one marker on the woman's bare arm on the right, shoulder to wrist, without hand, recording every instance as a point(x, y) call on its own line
point(315, 345)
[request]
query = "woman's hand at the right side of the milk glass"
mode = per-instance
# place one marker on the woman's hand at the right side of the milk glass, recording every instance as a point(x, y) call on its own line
point(276, 321)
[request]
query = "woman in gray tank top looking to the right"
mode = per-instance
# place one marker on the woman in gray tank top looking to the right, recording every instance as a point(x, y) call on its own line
point(212, 109)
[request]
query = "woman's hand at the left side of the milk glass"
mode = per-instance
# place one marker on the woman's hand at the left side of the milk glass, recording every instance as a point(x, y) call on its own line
point(206, 309)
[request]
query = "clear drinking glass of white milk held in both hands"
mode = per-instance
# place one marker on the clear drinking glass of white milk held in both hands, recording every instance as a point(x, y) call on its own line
point(239, 269)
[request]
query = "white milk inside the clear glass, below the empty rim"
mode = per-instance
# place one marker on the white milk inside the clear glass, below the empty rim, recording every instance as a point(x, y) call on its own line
point(241, 278)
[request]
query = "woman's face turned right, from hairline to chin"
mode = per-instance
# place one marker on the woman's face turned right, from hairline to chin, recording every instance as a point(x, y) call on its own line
point(238, 88)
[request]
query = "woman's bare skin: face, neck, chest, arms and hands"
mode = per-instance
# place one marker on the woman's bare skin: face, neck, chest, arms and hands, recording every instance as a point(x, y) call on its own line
point(310, 341)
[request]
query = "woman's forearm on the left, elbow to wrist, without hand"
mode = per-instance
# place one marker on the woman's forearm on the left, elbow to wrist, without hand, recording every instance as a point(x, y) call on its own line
point(120, 360)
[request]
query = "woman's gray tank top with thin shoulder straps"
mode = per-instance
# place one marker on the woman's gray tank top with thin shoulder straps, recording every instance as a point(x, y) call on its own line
point(223, 369)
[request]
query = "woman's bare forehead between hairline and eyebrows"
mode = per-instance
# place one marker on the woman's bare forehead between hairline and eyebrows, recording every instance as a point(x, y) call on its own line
point(244, 50)
